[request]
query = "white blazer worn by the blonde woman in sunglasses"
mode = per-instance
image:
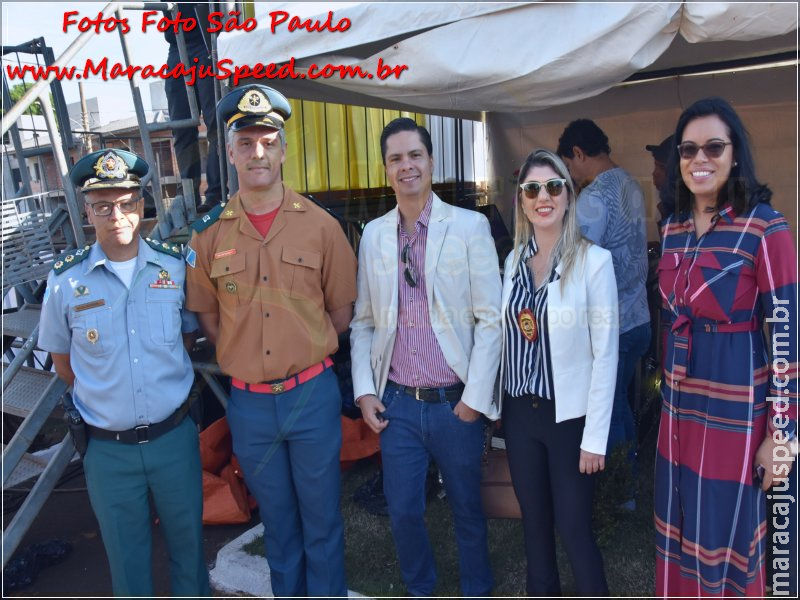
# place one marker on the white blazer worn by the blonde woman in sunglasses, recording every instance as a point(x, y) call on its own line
point(583, 326)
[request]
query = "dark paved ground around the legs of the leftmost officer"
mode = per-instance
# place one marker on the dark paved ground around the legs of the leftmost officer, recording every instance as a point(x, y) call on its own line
point(68, 516)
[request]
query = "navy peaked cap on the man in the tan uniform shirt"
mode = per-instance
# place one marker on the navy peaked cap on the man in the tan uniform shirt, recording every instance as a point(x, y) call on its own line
point(254, 105)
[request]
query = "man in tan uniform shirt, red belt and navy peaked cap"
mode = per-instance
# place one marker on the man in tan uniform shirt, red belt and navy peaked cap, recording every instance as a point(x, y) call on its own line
point(272, 278)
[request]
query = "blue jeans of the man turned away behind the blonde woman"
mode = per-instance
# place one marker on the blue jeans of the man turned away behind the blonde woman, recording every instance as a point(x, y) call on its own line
point(632, 344)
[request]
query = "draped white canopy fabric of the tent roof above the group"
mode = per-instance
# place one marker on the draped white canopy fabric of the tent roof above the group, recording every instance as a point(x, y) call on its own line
point(506, 57)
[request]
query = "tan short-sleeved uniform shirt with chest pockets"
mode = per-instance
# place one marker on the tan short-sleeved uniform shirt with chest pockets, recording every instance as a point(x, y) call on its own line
point(272, 294)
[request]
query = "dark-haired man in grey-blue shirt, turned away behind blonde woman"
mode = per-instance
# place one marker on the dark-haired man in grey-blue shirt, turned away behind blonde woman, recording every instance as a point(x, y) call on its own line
point(610, 211)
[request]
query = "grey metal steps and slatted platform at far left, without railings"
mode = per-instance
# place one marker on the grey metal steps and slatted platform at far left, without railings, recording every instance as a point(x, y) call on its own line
point(30, 389)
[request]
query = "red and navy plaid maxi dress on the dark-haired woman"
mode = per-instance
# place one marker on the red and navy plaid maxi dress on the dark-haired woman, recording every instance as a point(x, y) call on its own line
point(710, 513)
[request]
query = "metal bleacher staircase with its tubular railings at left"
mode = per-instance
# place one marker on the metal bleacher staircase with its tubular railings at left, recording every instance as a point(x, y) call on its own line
point(34, 231)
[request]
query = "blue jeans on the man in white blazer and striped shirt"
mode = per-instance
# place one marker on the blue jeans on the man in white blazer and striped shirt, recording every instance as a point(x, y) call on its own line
point(418, 432)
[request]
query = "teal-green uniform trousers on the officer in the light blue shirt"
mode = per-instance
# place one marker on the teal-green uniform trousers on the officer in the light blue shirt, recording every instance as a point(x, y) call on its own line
point(119, 477)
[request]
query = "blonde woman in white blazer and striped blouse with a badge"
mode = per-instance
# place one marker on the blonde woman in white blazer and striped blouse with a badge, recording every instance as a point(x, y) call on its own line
point(557, 374)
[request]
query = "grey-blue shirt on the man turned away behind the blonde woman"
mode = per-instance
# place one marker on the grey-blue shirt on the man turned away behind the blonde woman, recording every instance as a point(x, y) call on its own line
point(611, 214)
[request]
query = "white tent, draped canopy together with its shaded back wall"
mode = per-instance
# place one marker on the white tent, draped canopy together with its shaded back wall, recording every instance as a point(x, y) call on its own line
point(527, 69)
